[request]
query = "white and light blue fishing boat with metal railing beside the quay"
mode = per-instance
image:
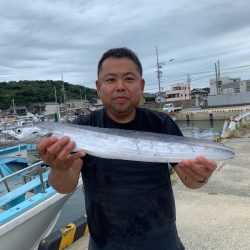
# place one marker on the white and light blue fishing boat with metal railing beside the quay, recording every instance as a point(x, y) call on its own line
point(29, 206)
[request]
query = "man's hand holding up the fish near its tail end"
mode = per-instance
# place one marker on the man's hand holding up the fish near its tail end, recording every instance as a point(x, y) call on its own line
point(194, 174)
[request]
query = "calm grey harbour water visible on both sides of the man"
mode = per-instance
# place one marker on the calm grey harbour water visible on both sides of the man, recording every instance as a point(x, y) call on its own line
point(75, 207)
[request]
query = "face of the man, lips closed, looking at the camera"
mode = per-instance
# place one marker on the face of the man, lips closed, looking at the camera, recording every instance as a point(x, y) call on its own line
point(120, 86)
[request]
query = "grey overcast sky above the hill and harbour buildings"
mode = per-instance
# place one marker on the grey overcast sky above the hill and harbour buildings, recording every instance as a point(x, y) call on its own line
point(42, 39)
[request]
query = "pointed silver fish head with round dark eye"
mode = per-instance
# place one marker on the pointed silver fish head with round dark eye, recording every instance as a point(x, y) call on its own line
point(31, 134)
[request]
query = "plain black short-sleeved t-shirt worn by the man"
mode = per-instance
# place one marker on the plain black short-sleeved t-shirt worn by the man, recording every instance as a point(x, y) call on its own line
point(130, 205)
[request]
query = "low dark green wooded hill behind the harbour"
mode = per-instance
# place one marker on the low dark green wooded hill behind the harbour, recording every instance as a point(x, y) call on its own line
point(27, 92)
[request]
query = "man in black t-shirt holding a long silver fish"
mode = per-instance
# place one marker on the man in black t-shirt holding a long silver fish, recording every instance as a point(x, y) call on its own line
point(130, 205)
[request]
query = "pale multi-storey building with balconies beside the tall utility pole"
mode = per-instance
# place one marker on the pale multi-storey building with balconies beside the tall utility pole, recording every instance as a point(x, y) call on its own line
point(179, 92)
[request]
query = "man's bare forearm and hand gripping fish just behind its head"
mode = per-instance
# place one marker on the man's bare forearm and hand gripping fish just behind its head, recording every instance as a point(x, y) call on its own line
point(65, 166)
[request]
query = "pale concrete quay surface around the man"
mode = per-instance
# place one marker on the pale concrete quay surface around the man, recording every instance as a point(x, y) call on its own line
point(216, 216)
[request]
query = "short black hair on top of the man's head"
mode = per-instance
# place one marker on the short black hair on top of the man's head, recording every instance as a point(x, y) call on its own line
point(120, 53)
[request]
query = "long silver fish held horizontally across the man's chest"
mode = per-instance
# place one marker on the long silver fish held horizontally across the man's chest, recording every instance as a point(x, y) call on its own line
point(125, 144)
